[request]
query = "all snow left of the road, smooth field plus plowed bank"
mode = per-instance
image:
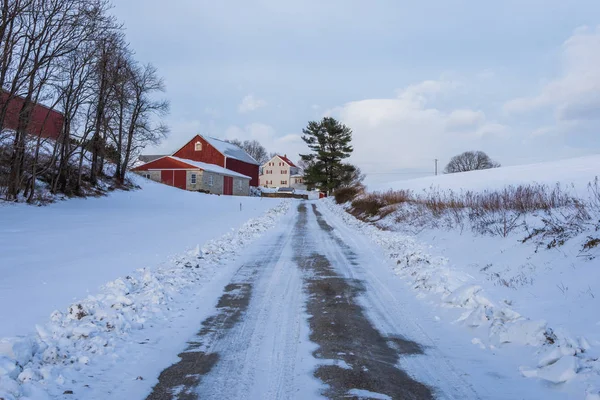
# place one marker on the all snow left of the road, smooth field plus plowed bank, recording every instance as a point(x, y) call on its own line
point(132, 236)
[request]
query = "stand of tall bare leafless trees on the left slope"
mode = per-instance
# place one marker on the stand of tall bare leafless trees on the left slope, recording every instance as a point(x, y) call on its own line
point(72, 56)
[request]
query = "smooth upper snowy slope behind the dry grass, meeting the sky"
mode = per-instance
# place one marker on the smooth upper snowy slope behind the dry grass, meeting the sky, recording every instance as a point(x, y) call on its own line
point(575, 171)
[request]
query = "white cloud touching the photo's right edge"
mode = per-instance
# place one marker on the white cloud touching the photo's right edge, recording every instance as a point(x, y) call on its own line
point(569, 94)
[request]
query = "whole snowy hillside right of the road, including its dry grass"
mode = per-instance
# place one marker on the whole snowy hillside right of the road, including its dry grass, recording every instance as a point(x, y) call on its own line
point(522, 266)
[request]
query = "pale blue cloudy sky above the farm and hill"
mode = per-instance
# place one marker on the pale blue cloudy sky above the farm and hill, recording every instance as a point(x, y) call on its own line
point(416, 81)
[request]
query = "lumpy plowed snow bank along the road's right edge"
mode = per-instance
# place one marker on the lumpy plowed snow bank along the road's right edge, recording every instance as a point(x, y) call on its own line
point(561, 357)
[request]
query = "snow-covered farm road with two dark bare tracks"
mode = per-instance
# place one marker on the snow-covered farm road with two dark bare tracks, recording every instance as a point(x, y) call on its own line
point(313, 311)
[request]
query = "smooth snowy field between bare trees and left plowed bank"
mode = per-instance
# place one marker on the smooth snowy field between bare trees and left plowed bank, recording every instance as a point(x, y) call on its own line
point(65, 251)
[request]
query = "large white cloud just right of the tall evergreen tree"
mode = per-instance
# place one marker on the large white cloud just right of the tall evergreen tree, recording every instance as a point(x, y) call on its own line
point(408, 131)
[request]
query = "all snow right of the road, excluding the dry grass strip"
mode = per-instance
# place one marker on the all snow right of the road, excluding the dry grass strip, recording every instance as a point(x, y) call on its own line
point(510, 293)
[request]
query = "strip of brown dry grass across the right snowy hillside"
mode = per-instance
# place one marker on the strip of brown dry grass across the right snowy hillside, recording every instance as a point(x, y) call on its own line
point(490, 212)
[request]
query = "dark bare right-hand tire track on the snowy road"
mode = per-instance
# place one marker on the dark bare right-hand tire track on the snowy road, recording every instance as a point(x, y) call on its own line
point(358, 360)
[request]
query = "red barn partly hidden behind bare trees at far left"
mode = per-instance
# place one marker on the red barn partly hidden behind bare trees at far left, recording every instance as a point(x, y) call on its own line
point(44, 122)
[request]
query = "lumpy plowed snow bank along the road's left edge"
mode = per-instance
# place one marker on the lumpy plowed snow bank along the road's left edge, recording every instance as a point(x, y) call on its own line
point(92, 327)
